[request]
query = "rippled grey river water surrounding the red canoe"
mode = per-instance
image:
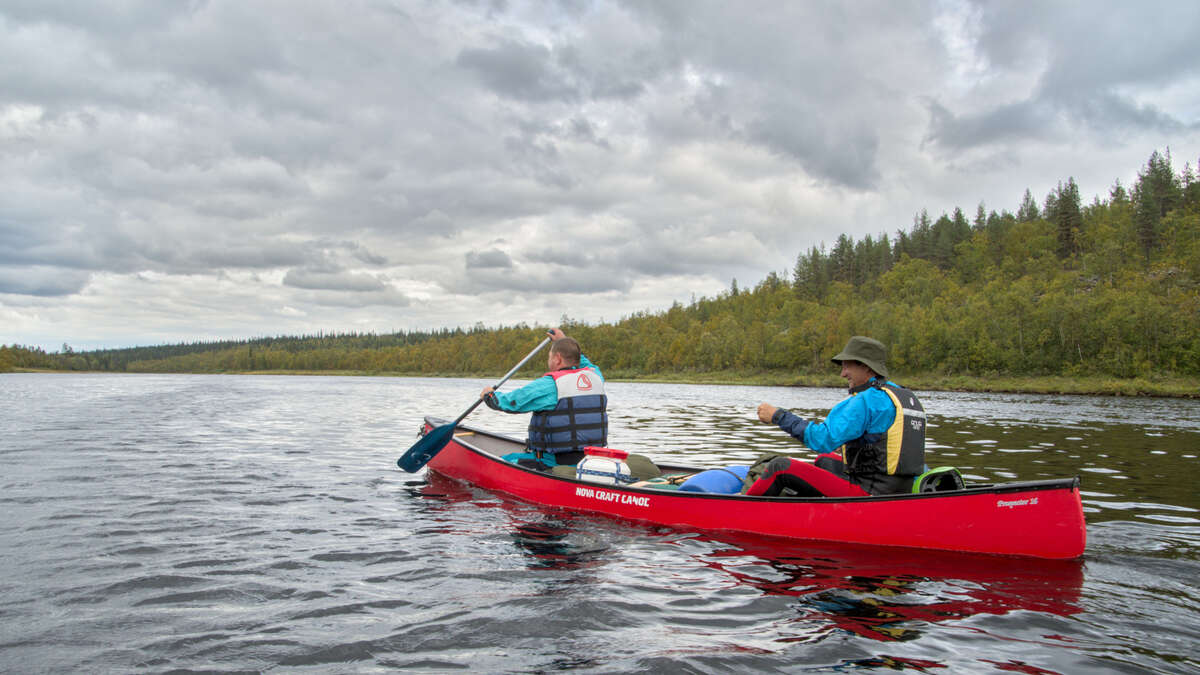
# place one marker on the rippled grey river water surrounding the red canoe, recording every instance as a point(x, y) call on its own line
point(248, 524)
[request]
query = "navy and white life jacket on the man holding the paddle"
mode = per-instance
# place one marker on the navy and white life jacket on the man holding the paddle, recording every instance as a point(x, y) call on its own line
point(580, 419)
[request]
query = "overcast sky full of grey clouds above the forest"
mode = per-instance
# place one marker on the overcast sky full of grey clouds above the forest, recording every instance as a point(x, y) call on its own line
point(195, 171)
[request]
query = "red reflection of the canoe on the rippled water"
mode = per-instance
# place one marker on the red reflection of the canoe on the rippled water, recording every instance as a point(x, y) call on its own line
point(878, 593)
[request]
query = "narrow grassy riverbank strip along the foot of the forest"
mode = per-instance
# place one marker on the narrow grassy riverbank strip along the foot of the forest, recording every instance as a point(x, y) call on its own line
point(1162, 387)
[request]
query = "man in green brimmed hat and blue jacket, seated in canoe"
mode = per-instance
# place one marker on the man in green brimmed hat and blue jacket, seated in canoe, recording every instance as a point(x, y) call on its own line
point(872, 444)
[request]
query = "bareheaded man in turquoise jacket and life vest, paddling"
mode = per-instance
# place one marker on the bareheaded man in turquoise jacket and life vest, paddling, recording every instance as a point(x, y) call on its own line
point(569, 407)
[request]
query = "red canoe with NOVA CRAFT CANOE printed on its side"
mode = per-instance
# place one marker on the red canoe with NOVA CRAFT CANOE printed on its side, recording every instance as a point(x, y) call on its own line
point(1037, 518)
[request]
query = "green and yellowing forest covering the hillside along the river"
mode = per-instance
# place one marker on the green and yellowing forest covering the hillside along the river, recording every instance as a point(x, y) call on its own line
point(1059, 289)
